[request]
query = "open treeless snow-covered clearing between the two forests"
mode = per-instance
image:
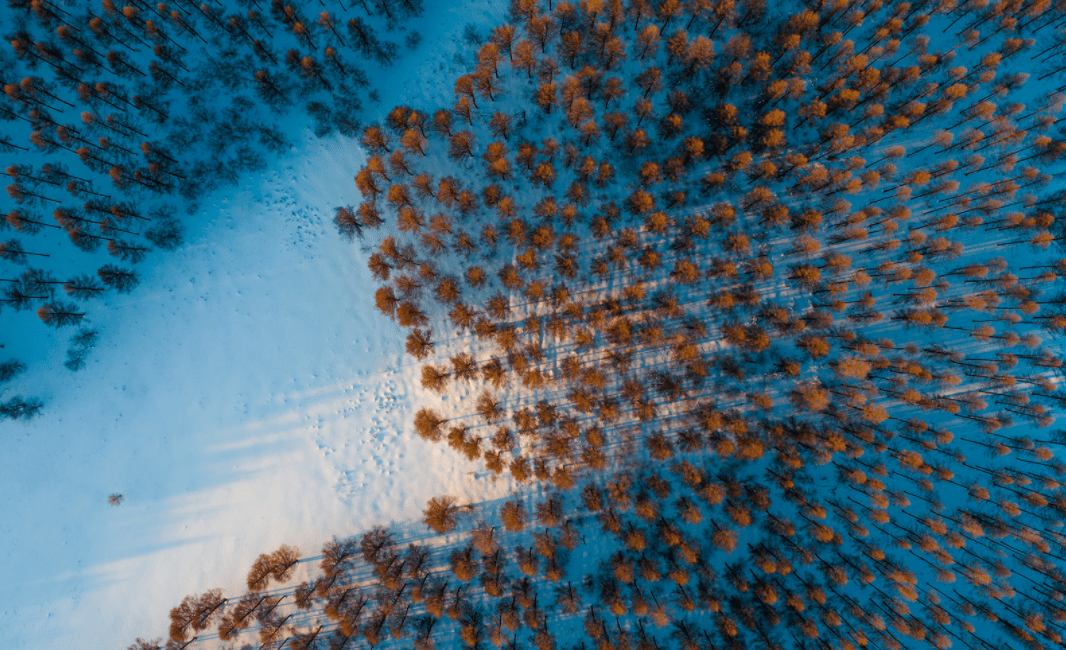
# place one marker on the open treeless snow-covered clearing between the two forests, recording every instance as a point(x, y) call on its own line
point(246, 396)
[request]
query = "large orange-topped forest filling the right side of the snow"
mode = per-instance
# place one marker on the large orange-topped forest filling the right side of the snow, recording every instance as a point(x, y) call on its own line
point(760, 303)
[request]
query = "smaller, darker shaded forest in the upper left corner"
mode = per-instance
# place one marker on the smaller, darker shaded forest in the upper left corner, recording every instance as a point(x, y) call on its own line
point(118, 120)
